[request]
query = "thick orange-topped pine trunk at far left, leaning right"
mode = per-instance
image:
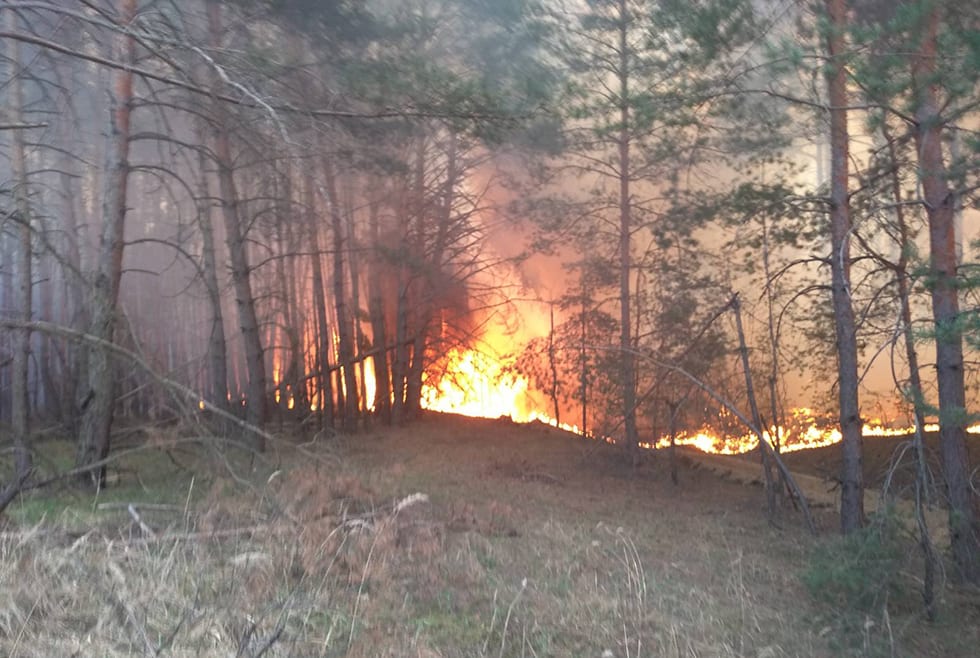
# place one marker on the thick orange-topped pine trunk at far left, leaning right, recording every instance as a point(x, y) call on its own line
point(96, 422)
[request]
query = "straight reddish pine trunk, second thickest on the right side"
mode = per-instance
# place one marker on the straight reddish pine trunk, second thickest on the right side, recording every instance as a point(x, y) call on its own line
point(852, 486)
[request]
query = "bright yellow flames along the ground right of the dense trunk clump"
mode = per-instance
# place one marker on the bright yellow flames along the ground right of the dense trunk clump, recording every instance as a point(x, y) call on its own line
point(477, 385)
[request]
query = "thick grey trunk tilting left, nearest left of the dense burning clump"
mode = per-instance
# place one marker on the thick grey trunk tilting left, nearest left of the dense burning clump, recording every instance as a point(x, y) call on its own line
point(255, 396)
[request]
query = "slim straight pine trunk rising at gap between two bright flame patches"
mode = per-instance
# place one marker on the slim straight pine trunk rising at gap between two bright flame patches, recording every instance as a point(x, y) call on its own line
point(631, 438)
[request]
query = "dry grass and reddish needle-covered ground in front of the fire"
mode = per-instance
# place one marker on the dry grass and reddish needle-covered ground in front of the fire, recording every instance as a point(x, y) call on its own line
point(453, 537)
